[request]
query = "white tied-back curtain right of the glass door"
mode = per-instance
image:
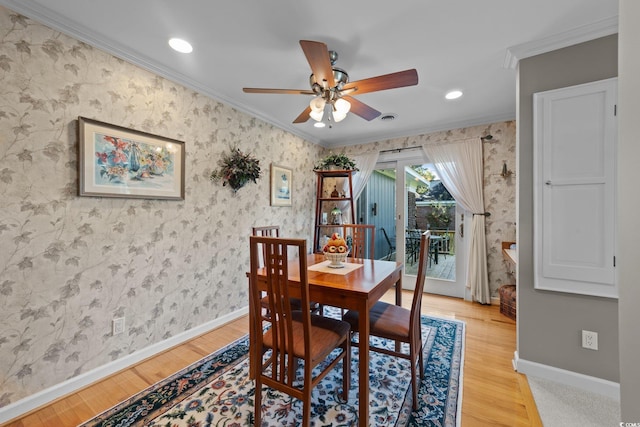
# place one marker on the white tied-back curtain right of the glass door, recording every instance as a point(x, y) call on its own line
point(460, 167)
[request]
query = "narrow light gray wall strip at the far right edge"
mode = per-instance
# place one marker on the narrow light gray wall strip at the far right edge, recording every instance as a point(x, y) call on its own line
point(628, 208)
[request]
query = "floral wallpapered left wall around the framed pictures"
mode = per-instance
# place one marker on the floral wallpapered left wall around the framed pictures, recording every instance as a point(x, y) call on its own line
point(69, 264)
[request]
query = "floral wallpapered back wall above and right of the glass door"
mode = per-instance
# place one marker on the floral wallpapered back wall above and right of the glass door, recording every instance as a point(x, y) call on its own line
point(499, 192)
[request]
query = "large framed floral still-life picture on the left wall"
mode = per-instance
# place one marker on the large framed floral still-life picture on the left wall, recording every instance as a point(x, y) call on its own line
point(114, 161)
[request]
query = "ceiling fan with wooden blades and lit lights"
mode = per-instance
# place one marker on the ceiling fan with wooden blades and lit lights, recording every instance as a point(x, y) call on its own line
point(332, 90)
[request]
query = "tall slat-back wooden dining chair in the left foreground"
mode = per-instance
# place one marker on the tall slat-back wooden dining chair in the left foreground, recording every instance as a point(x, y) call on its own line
point(290, 335)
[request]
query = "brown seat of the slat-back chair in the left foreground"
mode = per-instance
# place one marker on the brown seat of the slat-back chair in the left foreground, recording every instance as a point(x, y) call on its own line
point(327, 334)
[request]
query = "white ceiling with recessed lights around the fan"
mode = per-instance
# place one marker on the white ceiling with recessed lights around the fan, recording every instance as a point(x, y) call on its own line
point(464, 44)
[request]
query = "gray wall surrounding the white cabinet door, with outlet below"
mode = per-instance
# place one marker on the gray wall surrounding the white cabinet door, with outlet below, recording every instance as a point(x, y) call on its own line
point(550, 323)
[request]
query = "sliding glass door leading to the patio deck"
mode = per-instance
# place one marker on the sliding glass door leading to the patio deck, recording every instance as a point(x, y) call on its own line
point(403, 198)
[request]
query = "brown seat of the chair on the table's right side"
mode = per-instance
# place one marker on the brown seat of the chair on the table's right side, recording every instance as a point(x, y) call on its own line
point(386, 320)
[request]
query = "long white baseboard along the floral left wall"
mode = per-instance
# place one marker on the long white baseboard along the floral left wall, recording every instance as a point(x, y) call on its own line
point(71, 385)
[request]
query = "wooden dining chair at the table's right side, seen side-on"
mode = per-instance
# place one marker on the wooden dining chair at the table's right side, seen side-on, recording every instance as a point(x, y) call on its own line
point(400, 324)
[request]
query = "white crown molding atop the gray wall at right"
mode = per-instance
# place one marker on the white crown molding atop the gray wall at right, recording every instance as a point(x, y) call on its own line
point(602, 28)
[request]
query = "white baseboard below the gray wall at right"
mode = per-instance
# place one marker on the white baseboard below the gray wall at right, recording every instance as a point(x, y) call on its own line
point(574, 379)
